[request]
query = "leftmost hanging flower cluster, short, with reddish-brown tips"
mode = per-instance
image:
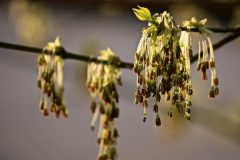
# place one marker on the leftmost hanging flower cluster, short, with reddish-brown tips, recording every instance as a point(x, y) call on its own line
point(50, 80)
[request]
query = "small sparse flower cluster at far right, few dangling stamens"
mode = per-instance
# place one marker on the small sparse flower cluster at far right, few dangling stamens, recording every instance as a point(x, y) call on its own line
point(205, 54)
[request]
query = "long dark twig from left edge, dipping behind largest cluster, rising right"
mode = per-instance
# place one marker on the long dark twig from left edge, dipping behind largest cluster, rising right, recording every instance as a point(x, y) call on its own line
point(122, 64)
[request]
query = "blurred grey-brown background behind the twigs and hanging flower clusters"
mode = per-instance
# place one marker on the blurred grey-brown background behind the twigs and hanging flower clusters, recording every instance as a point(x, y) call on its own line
point(86, 27)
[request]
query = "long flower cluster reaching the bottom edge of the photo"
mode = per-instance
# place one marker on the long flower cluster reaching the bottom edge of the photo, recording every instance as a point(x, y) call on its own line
point(102, 80)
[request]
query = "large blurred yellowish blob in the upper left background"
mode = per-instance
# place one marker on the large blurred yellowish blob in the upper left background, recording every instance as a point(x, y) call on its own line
point(36, 16)
